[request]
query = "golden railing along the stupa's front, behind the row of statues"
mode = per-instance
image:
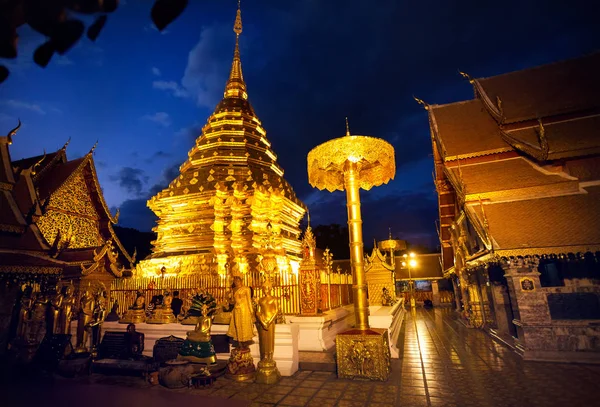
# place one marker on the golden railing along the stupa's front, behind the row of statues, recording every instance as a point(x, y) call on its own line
point(124, 291)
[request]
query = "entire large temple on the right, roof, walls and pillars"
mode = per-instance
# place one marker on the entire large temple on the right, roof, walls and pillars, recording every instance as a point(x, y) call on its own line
point(517, 171)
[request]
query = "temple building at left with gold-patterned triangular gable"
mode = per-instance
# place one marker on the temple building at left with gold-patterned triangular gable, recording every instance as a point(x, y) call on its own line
point(55, 228)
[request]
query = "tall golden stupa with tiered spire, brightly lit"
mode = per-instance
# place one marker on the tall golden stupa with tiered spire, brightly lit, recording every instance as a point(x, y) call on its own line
point(230, 200)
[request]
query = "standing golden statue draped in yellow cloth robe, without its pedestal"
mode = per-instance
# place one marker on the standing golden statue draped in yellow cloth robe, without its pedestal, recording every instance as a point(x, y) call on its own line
point(242, 320)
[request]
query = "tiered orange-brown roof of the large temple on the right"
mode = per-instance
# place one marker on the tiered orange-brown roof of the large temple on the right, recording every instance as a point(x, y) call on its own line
point(518, 167)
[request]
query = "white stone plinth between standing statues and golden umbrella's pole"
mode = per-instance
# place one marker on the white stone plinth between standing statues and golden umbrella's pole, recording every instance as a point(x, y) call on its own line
point(317, 333)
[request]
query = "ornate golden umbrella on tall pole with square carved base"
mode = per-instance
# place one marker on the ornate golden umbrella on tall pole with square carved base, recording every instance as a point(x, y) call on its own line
point(350, 163)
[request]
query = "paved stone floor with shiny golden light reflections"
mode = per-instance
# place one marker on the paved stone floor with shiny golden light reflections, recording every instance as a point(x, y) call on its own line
point(442, 363)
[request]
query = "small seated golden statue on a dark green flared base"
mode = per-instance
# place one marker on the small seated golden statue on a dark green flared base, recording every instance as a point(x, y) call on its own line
point(198, 347)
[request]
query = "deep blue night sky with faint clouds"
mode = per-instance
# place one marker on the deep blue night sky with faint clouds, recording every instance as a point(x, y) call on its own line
point(144, 95)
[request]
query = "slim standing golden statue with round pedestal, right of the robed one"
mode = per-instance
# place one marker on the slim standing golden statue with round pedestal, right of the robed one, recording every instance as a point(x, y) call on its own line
point(266, 314)
